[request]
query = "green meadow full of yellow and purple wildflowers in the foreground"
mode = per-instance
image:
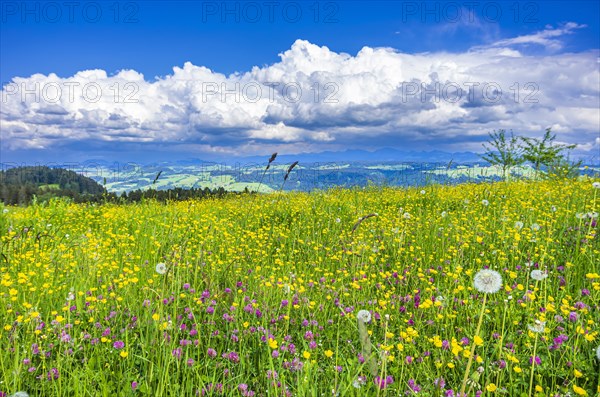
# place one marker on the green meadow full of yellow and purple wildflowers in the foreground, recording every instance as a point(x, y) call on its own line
point(476, 289)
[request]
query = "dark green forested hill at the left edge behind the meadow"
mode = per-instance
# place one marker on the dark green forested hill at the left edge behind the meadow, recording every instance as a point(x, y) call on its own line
point(19, 185)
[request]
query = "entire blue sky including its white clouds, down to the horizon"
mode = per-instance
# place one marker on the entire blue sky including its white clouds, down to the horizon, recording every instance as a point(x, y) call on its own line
point(215, 43)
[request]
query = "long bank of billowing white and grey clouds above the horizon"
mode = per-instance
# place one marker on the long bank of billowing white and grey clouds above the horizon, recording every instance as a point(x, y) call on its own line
point(317, 99)
